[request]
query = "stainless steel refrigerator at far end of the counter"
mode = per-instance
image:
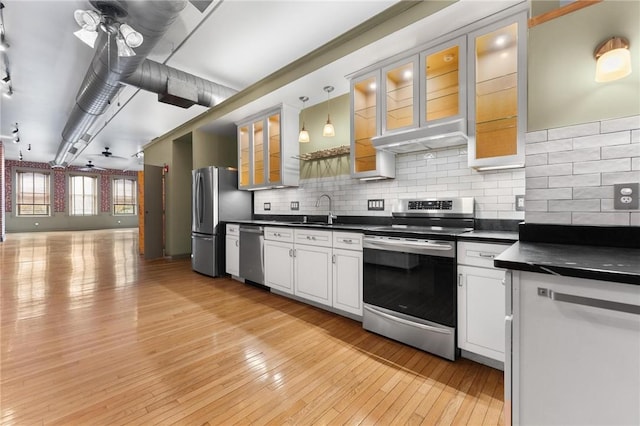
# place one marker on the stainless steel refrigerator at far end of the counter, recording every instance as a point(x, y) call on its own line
point(216, 199)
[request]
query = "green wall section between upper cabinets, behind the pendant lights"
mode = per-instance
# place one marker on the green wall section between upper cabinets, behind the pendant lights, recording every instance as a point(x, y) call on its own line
point(315, 117)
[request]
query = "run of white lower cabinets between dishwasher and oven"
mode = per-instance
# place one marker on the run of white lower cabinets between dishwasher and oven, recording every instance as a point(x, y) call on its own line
point(320, 266)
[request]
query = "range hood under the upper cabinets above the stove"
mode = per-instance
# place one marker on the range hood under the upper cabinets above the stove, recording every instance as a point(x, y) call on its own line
point(442, 135)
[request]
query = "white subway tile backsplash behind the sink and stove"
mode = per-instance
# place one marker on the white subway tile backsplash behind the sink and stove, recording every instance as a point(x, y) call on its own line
point(445, 175)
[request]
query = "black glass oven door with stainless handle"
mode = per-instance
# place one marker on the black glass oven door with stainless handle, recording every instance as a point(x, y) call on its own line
point(411, 277)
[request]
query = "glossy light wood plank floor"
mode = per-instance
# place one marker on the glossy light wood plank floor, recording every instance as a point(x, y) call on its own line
point(93, 334)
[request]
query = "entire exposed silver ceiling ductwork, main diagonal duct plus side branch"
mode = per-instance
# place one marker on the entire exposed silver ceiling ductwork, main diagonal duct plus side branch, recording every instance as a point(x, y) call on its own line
point(107, 72)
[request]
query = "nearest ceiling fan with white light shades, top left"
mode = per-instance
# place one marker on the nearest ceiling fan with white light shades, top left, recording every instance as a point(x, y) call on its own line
point(106, 19)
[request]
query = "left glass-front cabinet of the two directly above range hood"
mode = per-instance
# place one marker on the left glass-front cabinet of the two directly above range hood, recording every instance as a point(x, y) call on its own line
point(400, 103)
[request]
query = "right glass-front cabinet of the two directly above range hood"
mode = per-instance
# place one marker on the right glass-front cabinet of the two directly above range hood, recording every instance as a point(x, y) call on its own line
point(443, 90)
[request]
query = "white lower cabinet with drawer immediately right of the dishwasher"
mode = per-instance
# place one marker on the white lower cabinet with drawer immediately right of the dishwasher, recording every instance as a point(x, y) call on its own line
point(278, 258)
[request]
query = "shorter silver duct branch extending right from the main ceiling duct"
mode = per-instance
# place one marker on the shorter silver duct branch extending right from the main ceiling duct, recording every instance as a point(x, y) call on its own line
point(152, 76)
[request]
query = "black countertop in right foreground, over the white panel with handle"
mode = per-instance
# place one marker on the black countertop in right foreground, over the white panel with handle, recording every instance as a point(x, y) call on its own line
point(614, 264)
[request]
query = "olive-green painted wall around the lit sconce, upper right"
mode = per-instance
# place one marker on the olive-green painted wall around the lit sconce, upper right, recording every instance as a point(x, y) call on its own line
point(561, 89)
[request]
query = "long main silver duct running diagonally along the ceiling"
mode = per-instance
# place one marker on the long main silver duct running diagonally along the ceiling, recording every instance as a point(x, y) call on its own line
point(152, 18)
